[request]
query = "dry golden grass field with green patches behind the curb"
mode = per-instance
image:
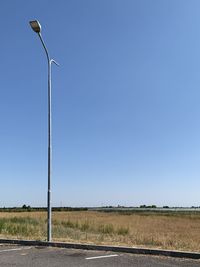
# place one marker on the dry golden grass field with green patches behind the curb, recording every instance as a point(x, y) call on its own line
point(180, 231)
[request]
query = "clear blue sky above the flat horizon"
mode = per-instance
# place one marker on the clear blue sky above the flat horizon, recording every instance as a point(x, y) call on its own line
point(126, 102)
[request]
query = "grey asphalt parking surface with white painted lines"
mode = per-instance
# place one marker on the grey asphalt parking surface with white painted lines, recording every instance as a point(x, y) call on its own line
point(19, 256)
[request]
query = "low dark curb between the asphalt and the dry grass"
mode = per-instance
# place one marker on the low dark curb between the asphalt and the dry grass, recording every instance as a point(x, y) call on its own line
point(133, 250)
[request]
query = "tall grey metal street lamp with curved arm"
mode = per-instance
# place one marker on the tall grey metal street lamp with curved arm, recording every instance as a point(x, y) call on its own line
point(35, 25)
